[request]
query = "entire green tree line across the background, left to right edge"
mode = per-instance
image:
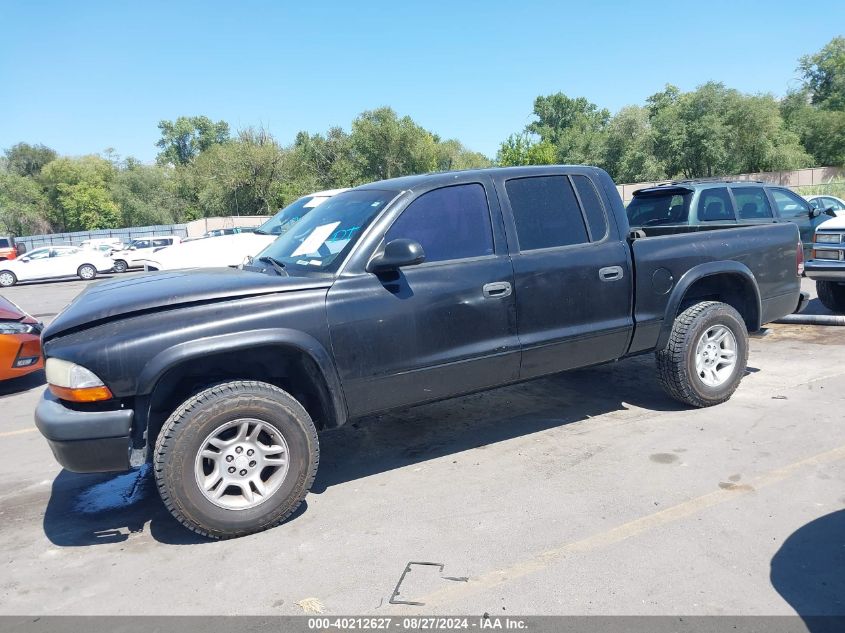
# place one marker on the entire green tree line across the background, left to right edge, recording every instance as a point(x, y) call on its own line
point(204, 169)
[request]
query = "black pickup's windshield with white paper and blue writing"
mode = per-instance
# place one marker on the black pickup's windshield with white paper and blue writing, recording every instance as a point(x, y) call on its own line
point(322, 237)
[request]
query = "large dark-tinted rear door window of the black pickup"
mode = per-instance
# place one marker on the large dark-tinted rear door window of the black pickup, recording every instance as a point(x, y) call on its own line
point(546, 212)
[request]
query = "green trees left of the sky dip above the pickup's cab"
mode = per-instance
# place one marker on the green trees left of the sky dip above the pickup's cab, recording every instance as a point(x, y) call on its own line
point(203, 170)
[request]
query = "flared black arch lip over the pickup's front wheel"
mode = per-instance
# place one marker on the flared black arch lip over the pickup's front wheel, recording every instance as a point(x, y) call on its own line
point(157, 366)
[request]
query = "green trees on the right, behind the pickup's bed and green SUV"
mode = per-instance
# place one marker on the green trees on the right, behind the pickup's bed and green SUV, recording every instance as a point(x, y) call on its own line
point(710, 131)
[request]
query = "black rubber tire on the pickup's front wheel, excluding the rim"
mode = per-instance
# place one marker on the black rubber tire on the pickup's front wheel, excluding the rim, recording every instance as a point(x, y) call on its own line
point(185, 433)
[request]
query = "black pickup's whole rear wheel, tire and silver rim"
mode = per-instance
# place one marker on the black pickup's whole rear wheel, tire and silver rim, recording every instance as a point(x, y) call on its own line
point(706, 356)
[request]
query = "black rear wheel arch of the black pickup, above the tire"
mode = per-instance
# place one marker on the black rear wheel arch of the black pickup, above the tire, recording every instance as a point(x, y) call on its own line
point(734, 286)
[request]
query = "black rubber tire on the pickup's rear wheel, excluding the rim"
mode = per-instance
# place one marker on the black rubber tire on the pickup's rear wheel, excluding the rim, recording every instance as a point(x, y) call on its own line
point(676, 362)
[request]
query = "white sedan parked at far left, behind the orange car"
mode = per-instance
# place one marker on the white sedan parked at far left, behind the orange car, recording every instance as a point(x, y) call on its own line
point(52, 262)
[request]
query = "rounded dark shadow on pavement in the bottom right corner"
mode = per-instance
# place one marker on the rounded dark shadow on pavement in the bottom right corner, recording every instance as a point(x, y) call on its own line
point(808, 571)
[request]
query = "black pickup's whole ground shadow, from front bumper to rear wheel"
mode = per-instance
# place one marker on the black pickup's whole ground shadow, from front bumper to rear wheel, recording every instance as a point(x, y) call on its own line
point(93, 509)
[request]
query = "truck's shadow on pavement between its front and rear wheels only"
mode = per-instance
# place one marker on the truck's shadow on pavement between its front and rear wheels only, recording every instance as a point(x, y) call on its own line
point(395, 440)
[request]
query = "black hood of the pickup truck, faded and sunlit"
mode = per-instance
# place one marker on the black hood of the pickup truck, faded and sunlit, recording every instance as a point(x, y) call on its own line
point(167, 290)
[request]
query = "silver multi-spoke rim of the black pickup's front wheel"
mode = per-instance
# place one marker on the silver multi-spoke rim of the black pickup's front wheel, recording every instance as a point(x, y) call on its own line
point(241, 464)
